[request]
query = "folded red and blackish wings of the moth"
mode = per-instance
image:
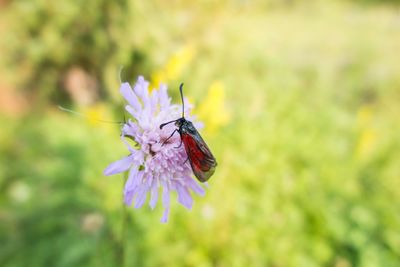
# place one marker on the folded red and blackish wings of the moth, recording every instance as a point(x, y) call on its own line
point(202, 161)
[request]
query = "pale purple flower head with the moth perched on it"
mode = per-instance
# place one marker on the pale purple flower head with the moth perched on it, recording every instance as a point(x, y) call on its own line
point(154, 165)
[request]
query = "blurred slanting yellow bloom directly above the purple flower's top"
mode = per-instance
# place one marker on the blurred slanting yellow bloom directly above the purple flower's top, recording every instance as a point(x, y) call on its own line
point(174, 67)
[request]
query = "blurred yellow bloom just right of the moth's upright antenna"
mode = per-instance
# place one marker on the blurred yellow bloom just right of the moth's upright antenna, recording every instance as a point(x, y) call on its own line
point(212, 109)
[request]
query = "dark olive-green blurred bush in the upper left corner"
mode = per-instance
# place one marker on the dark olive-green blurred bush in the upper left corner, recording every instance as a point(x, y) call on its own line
point(60, 36)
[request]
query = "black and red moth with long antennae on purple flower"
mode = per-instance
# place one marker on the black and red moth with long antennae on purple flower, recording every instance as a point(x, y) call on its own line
point(199, 155)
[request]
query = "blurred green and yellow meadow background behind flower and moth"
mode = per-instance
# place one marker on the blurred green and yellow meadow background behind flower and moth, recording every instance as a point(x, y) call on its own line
point(300, 100)
